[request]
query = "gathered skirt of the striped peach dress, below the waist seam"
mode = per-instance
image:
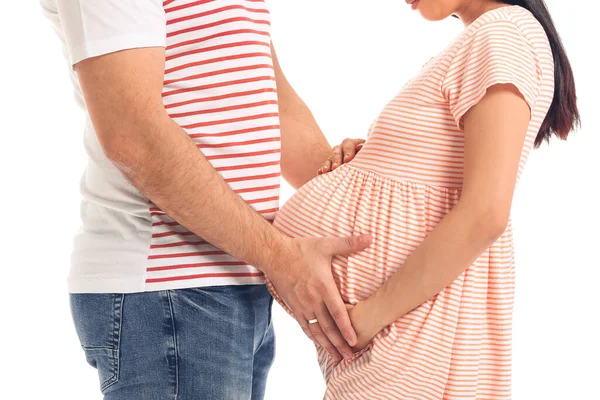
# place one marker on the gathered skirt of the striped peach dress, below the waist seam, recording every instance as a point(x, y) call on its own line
point(455, 337)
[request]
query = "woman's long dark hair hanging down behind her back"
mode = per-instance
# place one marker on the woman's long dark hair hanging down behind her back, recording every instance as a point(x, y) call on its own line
point(563, 115)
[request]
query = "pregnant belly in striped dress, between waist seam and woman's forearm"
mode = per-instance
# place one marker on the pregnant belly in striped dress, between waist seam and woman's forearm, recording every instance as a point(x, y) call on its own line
point(351, 201)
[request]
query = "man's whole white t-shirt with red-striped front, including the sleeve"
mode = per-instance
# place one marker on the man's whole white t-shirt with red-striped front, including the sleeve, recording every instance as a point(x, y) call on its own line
point(220, 87)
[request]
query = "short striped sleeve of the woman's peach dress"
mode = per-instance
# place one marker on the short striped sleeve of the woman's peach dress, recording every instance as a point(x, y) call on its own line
point(496, 53)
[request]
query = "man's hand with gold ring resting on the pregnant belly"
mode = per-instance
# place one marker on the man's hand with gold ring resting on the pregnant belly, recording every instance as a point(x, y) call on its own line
point(303, 279)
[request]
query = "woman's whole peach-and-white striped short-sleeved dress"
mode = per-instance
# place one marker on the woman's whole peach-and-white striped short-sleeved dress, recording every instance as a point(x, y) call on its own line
point(407, 177)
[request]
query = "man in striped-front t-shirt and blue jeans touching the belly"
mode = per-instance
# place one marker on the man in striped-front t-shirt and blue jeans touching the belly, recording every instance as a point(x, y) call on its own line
point(183, 138)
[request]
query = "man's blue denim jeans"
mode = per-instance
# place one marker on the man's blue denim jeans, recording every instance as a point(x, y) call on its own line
point(212, 343)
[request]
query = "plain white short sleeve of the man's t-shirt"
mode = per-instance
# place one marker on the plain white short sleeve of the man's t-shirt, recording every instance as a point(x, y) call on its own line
point(96, 27)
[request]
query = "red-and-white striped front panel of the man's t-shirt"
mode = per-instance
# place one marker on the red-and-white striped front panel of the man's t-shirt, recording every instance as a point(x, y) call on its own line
point(220, 87)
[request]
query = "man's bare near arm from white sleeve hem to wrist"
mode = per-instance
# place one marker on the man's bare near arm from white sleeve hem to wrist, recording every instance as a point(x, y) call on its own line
point(123, 94)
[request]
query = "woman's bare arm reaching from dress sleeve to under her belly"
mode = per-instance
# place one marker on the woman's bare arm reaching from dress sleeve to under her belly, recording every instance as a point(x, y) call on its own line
point(494, 131)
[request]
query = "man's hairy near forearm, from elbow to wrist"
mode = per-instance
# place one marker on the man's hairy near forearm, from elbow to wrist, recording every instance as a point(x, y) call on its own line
point(161, 161)
